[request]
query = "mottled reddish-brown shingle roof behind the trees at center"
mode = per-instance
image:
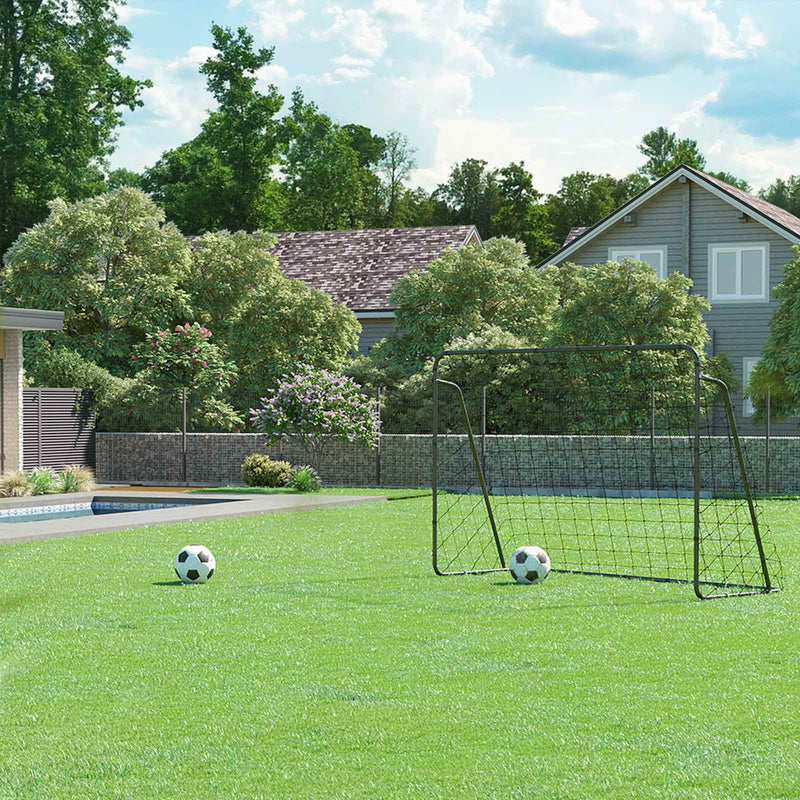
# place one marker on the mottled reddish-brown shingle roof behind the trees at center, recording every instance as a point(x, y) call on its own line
point(360, 268)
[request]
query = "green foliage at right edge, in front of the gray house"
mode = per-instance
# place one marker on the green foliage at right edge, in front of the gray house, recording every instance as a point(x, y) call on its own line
point(777, 374)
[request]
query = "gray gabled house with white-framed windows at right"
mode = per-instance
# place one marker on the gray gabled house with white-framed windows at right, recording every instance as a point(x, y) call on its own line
point(731, 244)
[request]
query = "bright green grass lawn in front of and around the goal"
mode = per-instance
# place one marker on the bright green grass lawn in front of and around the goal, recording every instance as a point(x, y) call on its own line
point(325, 660)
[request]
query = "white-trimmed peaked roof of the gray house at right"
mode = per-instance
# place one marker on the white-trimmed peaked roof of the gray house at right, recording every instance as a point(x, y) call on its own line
point(773, 217)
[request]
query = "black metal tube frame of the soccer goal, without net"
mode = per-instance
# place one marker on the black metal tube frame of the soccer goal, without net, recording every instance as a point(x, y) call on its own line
point(698, 378)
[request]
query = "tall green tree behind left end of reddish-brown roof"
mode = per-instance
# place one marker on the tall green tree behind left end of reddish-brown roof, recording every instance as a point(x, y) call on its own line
point(322, 175)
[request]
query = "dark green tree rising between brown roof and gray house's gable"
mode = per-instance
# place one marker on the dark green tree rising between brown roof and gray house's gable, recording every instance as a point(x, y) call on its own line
point(521, 216)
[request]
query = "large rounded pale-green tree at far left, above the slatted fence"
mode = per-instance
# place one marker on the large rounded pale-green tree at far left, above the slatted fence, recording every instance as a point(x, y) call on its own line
point(111, 264)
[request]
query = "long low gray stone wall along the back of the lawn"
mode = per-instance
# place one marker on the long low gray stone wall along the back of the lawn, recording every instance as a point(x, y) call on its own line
point(535, 462)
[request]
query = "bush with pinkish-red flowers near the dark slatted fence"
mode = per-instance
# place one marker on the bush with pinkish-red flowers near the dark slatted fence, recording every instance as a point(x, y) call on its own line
point(185, 357)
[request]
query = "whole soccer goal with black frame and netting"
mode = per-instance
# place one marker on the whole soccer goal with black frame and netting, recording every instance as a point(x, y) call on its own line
point(618, 461)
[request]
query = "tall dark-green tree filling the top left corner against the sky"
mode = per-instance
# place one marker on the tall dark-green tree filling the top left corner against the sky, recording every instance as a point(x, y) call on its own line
point(61, 97)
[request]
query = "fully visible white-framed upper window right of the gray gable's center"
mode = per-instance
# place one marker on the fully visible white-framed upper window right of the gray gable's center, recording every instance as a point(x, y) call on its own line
point(738, 272)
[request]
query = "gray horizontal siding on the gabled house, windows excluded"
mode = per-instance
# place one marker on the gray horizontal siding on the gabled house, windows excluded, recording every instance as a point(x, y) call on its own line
point(688, 218)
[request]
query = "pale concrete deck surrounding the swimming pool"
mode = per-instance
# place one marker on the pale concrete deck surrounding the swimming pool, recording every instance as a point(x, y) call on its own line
point(204, 508)
